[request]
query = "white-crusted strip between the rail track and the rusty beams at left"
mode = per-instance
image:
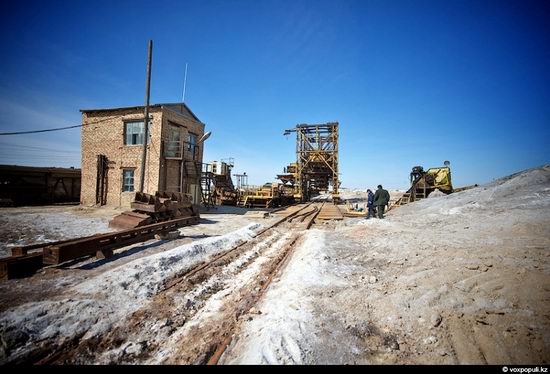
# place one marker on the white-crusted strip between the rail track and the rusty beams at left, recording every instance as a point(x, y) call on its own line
point(96, 305)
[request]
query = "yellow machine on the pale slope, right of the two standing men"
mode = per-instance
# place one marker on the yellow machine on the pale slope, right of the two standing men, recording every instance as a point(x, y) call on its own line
point(425, 182)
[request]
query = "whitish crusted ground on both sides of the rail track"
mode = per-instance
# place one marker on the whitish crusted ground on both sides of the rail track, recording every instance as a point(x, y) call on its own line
point(463, 278)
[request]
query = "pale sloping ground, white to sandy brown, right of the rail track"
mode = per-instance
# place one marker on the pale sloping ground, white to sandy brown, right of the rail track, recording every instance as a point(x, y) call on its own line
point(463, 278)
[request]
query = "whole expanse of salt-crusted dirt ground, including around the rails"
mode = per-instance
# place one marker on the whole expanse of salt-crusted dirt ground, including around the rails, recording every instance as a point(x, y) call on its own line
point(463, 278)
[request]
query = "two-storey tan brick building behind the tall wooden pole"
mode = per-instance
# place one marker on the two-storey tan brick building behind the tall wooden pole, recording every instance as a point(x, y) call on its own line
point(112, 146)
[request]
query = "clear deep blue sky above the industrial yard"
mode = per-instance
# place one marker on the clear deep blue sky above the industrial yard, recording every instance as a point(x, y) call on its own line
point(411, 82)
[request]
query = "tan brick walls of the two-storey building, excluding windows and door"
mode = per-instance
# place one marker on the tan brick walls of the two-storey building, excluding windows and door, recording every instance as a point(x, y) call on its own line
point(103, 133)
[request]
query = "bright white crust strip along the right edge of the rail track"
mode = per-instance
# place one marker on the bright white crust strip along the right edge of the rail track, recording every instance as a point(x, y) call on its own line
point(279, 335)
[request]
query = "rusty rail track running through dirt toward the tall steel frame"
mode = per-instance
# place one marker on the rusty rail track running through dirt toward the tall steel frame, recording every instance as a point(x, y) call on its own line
point(201, 337)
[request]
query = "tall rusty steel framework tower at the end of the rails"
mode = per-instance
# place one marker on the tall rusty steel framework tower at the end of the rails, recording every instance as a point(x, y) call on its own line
point(316, 159)
